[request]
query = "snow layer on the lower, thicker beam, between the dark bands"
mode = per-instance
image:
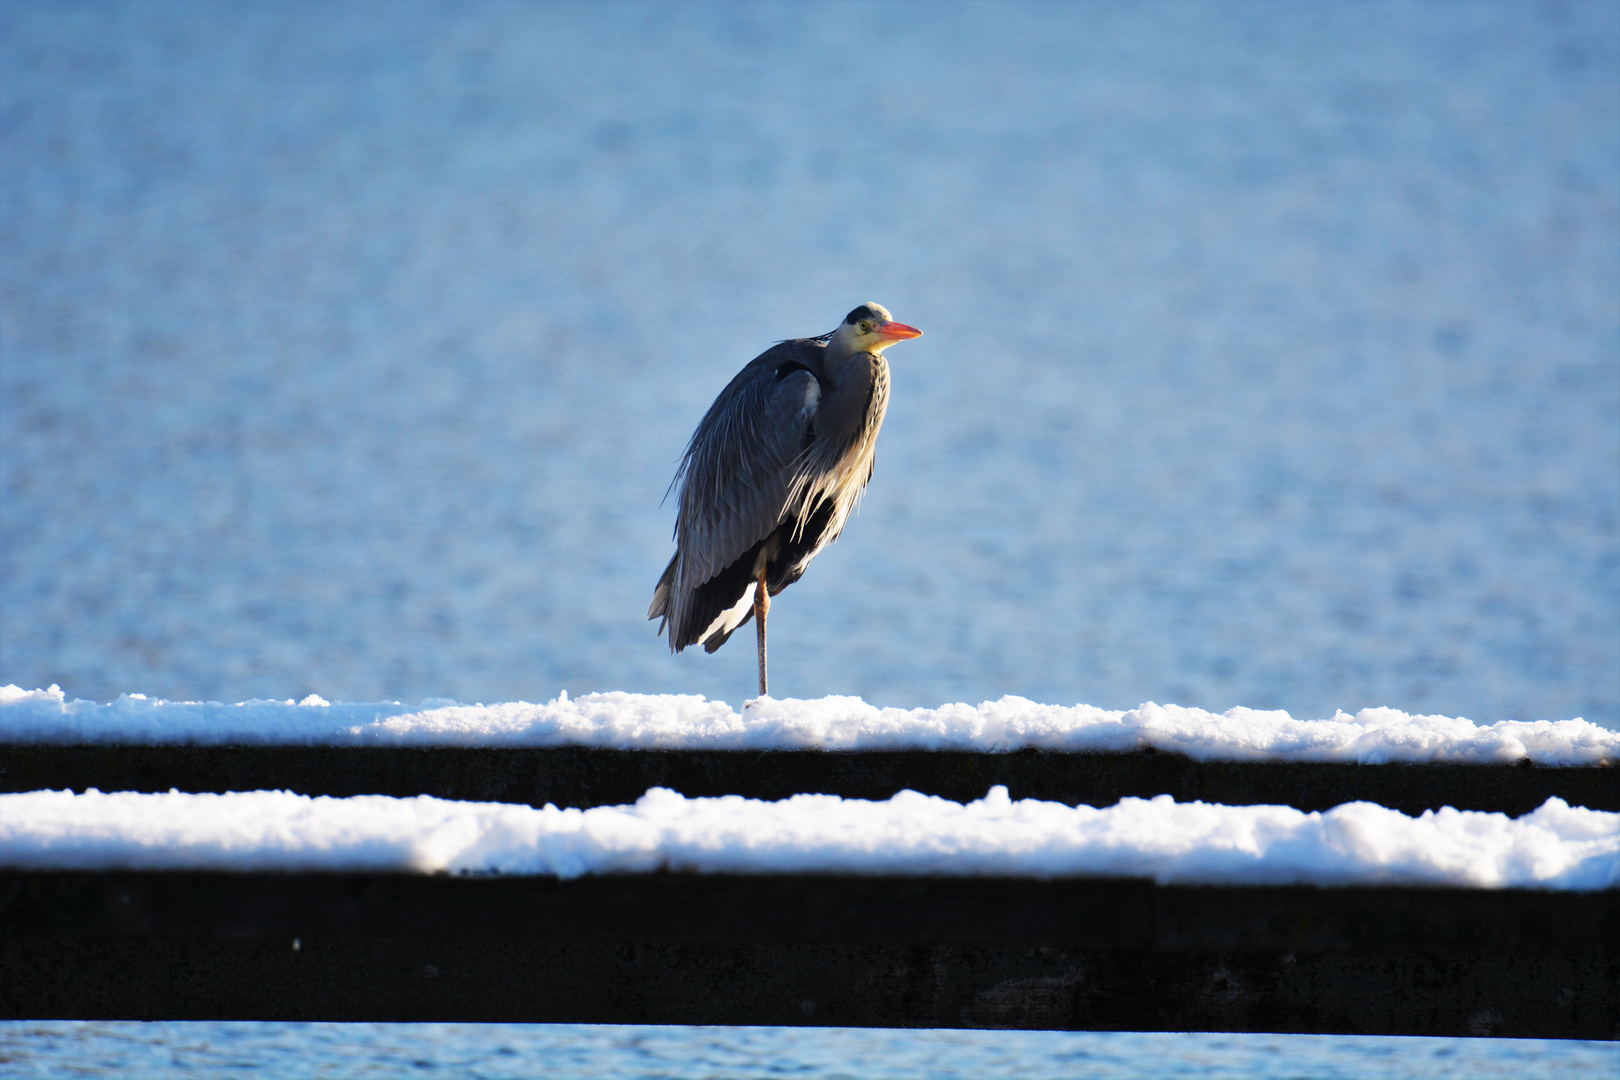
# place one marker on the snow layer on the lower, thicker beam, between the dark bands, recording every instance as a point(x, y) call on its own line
point(1554, 848)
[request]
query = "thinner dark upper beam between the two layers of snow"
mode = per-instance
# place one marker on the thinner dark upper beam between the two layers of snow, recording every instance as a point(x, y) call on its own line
point(576, 776)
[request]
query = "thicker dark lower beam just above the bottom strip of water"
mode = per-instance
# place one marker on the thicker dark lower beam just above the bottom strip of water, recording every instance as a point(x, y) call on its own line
point(1101, 955)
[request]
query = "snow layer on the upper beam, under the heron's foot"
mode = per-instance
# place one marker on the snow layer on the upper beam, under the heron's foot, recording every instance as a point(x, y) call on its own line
point(694, 723)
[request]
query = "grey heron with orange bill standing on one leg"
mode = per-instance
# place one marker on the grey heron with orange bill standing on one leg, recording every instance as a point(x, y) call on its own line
point(772, 475)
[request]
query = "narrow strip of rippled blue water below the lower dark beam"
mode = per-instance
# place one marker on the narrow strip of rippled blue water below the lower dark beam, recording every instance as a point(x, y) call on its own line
point(490, 1052)
